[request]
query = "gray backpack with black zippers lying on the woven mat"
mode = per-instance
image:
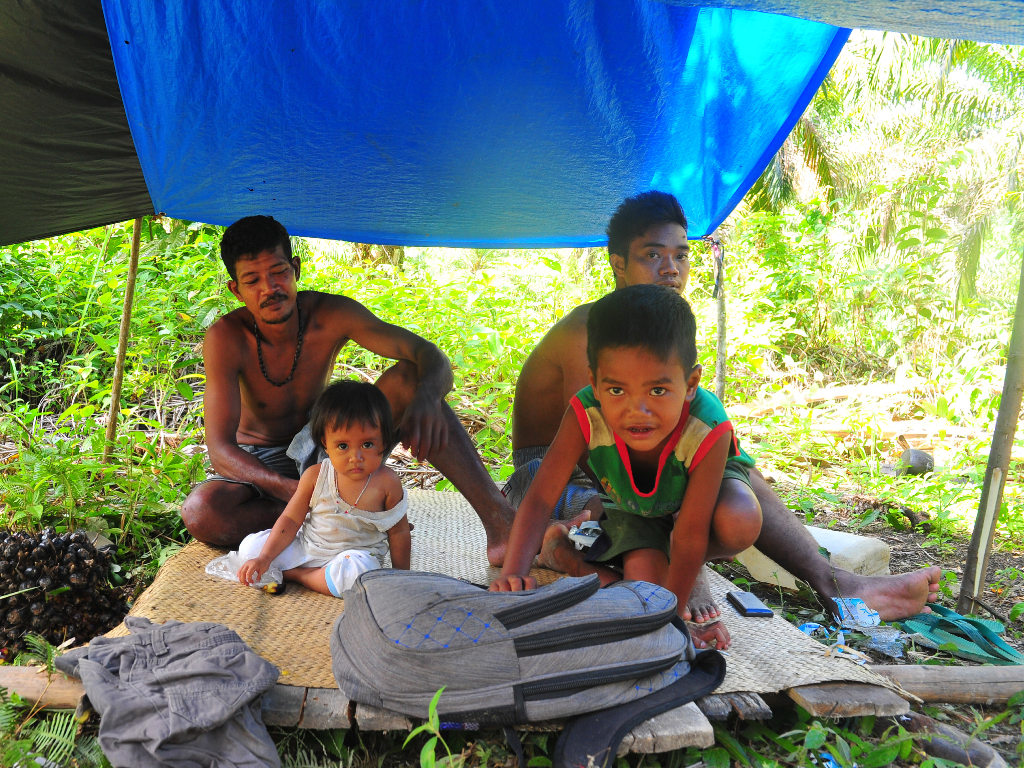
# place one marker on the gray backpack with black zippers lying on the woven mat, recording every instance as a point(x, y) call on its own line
point(511, 658)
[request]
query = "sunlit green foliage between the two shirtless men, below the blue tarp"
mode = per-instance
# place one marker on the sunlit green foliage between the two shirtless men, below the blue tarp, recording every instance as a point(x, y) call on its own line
point(487, 315)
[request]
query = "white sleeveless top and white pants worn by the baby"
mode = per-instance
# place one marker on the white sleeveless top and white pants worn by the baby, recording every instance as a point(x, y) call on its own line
point(348, 540)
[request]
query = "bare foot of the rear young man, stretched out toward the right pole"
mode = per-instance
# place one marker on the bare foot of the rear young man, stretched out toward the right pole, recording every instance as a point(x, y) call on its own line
point(894, 598)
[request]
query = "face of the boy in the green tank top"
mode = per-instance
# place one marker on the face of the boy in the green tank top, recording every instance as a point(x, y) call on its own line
point(642, 396)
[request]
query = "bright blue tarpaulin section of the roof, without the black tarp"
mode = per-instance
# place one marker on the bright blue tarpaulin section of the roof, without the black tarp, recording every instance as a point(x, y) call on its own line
point(479, 124)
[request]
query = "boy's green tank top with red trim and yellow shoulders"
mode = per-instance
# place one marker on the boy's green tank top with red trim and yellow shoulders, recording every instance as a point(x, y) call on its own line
point(704, 420)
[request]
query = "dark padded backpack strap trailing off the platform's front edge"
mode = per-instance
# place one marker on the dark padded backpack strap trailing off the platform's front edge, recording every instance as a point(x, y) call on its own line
point(596, 737)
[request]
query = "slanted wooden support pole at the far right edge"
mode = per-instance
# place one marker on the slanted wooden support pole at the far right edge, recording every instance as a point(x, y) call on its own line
point(999, 463)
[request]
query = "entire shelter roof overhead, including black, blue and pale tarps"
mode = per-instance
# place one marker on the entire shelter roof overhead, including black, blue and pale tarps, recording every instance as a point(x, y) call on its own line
point(416, 121)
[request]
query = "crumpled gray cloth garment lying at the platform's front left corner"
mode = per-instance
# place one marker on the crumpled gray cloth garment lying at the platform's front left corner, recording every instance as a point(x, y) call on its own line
point(177, 695)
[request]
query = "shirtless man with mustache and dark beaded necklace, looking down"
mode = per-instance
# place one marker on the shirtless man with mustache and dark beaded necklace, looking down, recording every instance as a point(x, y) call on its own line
point(267, 363)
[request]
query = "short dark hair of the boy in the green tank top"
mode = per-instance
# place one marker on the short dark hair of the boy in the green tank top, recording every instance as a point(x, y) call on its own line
point(653, 318)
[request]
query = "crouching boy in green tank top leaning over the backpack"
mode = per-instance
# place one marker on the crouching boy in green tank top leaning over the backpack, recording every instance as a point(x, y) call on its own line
point(674, 483)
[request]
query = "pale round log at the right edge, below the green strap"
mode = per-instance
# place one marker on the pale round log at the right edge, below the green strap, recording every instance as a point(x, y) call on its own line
point(975, 686)
